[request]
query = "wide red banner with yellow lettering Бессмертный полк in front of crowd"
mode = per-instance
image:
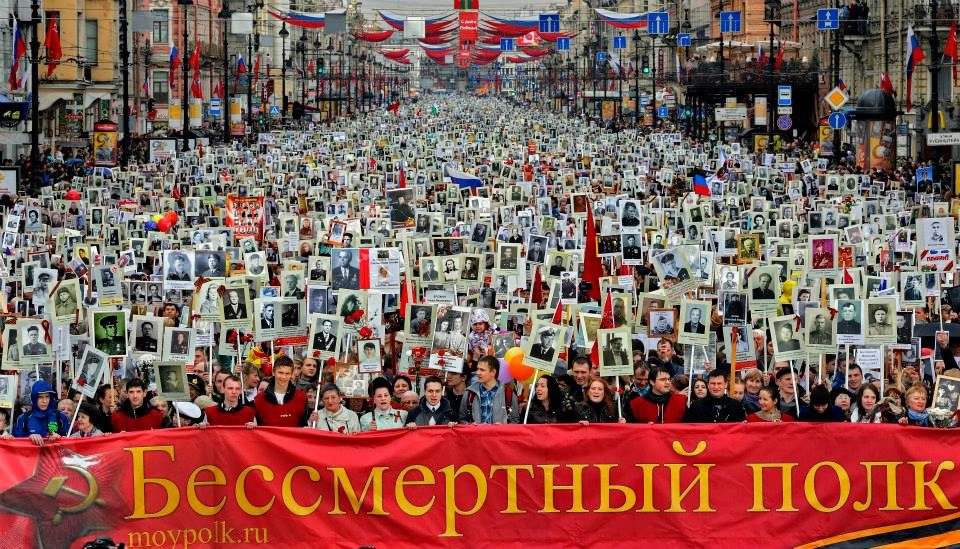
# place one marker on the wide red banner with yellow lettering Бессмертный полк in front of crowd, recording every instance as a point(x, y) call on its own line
point(740, 485)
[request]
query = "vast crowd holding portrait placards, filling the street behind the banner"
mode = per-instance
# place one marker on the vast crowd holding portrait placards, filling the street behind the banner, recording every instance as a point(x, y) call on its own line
point(472, 261)
